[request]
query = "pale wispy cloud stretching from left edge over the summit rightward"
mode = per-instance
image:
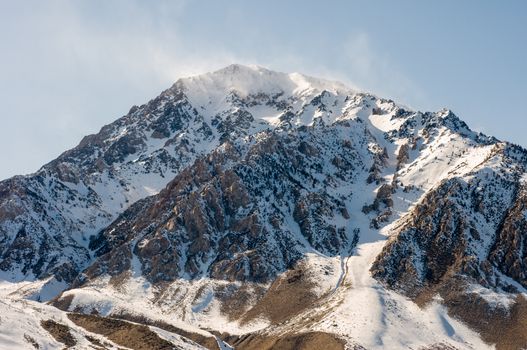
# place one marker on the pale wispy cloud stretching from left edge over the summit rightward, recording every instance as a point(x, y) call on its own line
point(69, 67)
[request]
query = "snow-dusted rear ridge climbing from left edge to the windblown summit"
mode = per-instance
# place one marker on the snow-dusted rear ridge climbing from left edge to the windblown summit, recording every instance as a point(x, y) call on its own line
point(73, 197)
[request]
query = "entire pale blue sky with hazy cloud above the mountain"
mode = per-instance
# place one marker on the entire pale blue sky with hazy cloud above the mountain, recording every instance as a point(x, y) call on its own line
point(69, 67)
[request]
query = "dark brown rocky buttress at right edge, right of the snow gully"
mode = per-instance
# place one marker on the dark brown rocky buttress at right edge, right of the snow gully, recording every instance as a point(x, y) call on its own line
point(466, 226)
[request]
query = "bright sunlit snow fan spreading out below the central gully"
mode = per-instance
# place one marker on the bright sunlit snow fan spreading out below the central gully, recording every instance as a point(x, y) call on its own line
point(364, 312)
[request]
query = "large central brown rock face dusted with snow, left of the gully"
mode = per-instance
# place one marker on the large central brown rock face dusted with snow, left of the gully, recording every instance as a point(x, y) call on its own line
point(246, 212)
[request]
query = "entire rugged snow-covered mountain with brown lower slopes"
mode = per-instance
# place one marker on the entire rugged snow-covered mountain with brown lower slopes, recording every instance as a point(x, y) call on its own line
point(257, 209)
